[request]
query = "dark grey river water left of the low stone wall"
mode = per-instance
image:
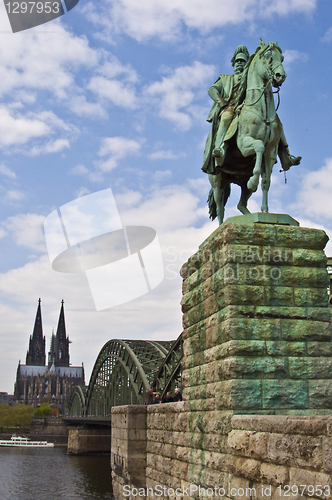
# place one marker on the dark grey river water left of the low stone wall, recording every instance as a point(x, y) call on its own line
point(31, 474)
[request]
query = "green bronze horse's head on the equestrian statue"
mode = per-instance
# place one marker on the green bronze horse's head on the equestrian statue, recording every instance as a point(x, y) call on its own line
point(270, 55)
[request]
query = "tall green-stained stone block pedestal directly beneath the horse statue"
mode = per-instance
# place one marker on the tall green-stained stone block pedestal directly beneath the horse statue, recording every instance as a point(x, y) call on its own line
point(257, 326)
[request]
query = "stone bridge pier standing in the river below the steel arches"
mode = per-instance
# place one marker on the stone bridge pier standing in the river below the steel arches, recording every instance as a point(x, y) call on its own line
point(89, 441)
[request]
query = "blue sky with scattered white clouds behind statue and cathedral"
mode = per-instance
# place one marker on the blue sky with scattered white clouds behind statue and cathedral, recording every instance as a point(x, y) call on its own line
point(114, 95)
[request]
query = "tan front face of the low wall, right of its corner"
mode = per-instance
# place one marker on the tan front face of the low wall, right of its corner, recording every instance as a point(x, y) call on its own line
point(283, 450)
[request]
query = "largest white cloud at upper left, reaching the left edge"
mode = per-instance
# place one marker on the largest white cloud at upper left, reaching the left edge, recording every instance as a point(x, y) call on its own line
point(56, 70)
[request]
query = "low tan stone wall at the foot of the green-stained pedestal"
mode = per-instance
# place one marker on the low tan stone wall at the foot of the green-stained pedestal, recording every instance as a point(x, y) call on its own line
point(234, 456)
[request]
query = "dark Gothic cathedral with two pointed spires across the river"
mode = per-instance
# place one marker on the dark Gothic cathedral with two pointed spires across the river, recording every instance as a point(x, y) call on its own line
point(37, 382)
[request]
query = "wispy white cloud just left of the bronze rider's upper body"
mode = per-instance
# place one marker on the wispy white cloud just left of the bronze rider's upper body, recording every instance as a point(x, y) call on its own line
point(174, 94)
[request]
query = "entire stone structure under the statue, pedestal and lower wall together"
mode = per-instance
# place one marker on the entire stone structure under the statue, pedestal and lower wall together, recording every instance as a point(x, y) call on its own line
point(257, 377)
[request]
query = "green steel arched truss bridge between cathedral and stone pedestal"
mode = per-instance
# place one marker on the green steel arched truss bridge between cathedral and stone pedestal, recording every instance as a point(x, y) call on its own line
point(124, 371)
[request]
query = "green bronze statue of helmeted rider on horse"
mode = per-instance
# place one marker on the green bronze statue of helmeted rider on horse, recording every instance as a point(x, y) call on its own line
point(246, 134)
